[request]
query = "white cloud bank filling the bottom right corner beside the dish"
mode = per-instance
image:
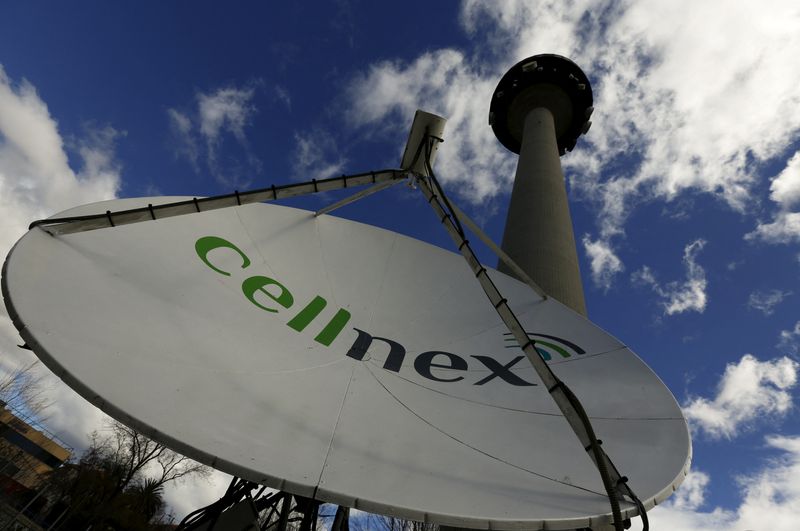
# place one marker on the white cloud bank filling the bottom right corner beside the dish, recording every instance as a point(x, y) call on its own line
point(770, 496)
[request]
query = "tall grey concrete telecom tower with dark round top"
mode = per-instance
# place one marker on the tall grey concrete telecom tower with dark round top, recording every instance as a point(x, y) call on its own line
point(538, 110)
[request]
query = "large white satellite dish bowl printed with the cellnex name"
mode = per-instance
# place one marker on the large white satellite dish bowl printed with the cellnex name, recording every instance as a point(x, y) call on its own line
point(343, 362)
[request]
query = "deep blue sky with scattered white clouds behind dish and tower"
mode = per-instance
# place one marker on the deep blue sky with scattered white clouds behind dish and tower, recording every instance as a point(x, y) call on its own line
point(685, 194)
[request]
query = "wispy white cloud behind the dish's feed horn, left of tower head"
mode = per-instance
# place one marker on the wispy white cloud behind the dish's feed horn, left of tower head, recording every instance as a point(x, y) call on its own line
point(444, 82)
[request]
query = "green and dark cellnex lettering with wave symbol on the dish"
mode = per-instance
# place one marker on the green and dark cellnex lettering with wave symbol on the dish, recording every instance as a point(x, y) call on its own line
point(424, 363)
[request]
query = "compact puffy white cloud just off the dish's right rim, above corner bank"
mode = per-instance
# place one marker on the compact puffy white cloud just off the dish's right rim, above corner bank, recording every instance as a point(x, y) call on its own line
point(748, 390)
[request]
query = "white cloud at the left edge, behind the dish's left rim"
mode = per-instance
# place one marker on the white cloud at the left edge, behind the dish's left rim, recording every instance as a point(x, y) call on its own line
point(37, 179)
